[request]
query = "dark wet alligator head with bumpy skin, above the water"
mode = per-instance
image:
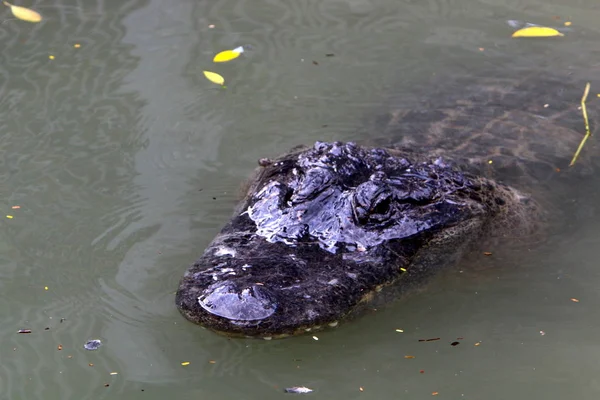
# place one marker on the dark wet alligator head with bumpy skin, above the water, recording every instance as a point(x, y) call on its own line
point(324, 228)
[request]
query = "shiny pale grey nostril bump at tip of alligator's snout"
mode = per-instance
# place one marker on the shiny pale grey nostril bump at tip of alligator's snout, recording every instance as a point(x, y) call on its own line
point(248, 303)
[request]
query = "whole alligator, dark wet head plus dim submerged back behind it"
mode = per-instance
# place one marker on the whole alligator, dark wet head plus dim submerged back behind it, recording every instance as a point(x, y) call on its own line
point(323, 229)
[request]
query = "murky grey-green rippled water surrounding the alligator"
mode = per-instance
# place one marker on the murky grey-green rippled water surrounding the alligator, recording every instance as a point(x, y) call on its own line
point(125, 161)
